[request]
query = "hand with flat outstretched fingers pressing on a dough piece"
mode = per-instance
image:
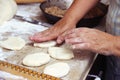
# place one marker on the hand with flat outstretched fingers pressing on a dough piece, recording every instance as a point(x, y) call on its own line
point(53, 32)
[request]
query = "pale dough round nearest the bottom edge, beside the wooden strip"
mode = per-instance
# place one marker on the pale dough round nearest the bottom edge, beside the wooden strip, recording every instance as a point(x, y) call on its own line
point(59, 69)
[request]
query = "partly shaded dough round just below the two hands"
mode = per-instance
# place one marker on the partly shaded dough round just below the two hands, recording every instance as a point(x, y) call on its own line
point(60, 53)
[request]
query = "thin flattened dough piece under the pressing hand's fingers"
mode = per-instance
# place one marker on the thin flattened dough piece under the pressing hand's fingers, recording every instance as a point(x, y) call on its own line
point(45, 44)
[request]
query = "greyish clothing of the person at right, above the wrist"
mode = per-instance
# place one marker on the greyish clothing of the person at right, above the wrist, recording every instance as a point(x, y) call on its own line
point(113, 18)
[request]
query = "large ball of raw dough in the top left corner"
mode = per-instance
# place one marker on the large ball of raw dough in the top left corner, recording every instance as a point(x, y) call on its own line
point(7, 10)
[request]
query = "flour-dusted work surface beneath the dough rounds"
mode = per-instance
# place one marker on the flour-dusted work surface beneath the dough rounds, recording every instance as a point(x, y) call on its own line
point(79, 66)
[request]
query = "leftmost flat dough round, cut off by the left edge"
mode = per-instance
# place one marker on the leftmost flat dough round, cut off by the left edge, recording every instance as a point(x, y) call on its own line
point(13, 43)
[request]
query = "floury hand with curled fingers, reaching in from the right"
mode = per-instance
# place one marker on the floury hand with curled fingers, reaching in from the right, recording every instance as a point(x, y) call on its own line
point(90, 39)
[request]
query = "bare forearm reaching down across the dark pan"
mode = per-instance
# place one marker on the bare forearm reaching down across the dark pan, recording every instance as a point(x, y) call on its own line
point(78, 9)
